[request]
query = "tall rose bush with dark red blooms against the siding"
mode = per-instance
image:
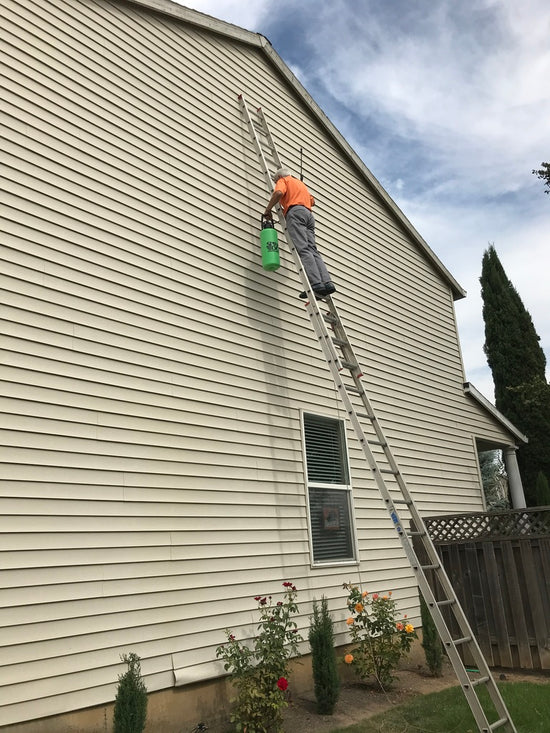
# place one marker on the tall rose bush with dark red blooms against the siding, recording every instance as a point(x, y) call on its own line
point(259, 671)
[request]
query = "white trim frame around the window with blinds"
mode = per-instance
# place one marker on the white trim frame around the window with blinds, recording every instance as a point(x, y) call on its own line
point(347, 488)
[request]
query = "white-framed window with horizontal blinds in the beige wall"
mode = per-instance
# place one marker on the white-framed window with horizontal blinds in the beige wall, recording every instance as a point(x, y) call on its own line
point(329, 490)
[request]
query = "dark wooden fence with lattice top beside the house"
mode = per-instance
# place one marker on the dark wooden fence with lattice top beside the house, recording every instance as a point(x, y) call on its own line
point(499, 566)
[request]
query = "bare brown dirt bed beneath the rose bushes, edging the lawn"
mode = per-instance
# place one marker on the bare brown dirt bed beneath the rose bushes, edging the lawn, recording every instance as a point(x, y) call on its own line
point(360, 701)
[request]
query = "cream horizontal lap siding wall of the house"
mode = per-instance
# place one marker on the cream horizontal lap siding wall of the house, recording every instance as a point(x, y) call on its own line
point(153, 374)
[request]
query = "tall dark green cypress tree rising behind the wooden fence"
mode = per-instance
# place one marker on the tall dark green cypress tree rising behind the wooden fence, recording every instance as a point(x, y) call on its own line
point(518, 365)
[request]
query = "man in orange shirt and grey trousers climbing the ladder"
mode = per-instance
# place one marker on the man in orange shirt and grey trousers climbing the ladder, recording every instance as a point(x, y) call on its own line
point(297, 203)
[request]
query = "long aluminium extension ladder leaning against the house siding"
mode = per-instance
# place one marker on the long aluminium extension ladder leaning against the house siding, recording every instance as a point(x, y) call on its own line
point(347, 374)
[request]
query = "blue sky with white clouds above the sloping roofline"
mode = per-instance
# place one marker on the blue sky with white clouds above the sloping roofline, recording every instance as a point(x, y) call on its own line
point(447, 102)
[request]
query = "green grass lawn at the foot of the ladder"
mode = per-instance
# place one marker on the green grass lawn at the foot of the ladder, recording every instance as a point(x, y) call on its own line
point(448, 712)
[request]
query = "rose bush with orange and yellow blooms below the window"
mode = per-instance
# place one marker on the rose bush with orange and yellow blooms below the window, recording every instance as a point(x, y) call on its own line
point(379, 641)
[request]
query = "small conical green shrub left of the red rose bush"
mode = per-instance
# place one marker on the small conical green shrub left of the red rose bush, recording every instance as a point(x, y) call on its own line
point(131, 699)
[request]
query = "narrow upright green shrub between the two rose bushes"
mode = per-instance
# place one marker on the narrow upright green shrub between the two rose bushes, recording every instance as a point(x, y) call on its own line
point(323, 658)
